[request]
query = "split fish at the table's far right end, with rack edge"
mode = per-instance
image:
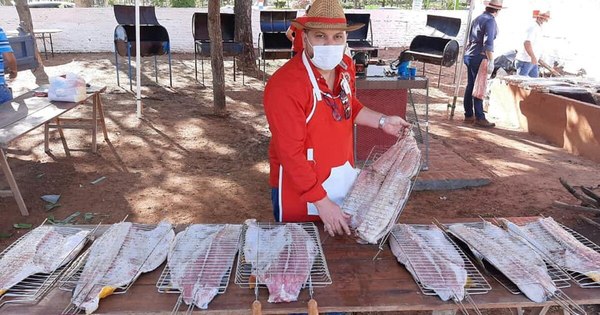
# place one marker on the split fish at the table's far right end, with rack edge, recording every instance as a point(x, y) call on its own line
point(566, 248)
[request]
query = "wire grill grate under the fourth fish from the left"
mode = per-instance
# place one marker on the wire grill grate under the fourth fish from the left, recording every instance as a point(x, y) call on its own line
point(268, 248)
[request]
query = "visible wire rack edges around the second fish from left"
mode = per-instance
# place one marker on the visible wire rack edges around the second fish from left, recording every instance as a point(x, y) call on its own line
point(72, 275)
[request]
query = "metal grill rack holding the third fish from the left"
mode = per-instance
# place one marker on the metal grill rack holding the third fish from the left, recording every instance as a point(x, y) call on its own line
point(213, 264)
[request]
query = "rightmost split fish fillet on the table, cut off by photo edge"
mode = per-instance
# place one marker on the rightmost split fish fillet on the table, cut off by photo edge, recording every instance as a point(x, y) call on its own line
point(561, 246)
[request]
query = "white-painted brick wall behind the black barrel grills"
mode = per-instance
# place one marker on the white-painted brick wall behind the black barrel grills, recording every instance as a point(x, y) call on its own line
point(91, 29)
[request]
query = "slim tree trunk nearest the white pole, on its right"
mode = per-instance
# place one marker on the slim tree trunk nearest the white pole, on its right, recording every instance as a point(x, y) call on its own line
point(216, 61)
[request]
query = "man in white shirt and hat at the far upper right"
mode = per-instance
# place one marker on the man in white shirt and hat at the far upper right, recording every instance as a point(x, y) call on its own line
point(528, 57)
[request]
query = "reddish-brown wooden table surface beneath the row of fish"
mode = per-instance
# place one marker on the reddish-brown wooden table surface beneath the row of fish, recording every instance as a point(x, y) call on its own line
point(360, 284)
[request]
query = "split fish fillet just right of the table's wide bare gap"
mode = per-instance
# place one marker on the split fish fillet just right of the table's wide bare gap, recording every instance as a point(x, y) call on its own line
point(431, 259)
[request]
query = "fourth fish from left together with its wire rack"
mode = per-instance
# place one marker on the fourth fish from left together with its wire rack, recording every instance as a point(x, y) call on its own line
point(283, 257)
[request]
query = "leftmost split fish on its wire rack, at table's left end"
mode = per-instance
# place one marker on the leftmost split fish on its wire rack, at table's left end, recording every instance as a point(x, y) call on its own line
point(31, 265)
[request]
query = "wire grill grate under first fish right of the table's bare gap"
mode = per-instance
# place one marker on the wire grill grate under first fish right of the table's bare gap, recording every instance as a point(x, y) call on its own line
point(425, 273)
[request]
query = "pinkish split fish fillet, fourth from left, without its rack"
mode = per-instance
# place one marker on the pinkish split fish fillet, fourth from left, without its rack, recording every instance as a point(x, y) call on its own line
point(282, 258)
